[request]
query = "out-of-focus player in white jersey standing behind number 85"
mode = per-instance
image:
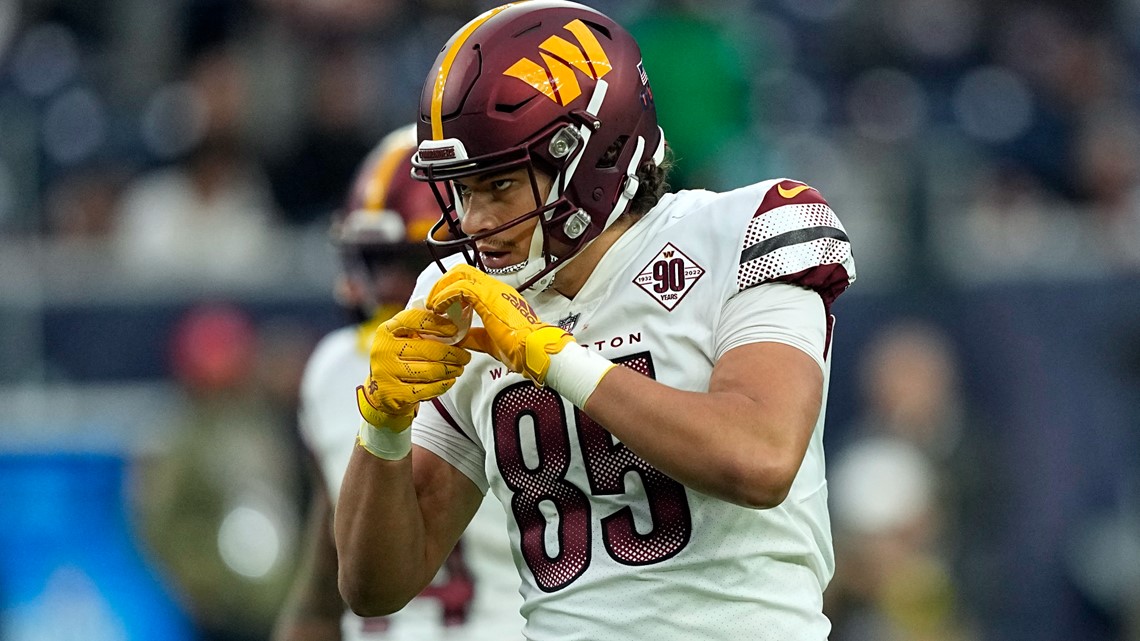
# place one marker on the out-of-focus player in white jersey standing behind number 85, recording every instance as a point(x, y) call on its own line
point(476, 596)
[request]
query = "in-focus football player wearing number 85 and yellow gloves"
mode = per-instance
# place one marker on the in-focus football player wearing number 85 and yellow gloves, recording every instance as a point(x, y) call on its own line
point(645, 376)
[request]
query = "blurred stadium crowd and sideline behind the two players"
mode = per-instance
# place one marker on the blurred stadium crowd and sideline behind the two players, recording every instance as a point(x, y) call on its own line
point(168, 169)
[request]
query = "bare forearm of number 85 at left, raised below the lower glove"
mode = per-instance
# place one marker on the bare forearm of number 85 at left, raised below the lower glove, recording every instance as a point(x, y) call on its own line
point(380, 537)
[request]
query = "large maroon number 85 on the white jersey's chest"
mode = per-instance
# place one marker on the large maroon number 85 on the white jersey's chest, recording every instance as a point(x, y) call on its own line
point(541, 489)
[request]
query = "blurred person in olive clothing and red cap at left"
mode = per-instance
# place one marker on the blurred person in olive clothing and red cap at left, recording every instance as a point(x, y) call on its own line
point(217, 499)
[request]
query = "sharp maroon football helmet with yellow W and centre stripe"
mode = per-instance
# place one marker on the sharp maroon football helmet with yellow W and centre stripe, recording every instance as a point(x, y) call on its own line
point(549, 86)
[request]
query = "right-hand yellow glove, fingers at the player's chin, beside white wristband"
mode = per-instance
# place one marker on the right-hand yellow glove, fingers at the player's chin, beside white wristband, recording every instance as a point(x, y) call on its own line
point(512, 332)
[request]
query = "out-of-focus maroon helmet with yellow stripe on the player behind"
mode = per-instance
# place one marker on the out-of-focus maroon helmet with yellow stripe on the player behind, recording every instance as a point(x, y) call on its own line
point(380, 232)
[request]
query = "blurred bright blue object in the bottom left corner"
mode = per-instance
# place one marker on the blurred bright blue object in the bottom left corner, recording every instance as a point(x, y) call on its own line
point(71, 569)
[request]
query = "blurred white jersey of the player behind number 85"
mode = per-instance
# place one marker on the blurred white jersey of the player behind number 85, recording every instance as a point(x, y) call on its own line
point(476, 596)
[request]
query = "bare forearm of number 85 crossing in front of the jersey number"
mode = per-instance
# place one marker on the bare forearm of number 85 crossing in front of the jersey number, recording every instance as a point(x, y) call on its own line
point(722, 444)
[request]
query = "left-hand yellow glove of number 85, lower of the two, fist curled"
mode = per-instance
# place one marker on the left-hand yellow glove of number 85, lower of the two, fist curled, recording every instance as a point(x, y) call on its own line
point(409, 364)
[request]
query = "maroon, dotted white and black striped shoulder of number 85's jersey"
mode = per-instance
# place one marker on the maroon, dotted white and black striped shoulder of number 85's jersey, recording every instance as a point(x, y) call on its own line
point(795, 238)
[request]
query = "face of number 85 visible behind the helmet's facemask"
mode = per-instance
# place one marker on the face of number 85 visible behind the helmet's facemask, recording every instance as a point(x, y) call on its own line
point(492, 200)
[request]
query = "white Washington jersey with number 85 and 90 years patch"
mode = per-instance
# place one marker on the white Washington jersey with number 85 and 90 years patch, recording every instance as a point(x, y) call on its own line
point(607, 546)
